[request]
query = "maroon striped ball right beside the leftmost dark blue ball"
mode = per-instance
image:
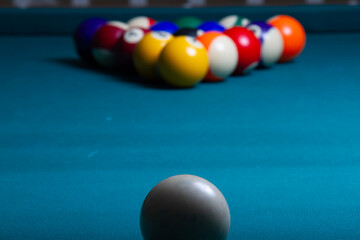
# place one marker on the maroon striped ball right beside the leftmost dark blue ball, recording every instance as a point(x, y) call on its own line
point(104, 43)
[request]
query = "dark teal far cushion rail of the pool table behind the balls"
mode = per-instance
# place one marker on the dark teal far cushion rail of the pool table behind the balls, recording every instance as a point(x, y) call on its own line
point(329, 18)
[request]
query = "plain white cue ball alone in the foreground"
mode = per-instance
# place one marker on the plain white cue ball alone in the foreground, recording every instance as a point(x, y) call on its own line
point(185, 207)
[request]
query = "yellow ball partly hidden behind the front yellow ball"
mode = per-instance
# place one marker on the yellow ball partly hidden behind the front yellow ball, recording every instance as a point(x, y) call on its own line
point(147, 52)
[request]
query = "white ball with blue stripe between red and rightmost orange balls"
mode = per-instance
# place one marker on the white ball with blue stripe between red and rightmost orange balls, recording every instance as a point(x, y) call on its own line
point(271, 42)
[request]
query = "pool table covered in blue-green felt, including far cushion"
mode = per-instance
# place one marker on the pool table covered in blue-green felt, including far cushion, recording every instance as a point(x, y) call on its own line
point(80, 147)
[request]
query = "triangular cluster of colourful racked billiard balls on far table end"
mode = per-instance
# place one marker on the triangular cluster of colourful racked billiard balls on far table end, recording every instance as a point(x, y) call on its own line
point(188, 51)
